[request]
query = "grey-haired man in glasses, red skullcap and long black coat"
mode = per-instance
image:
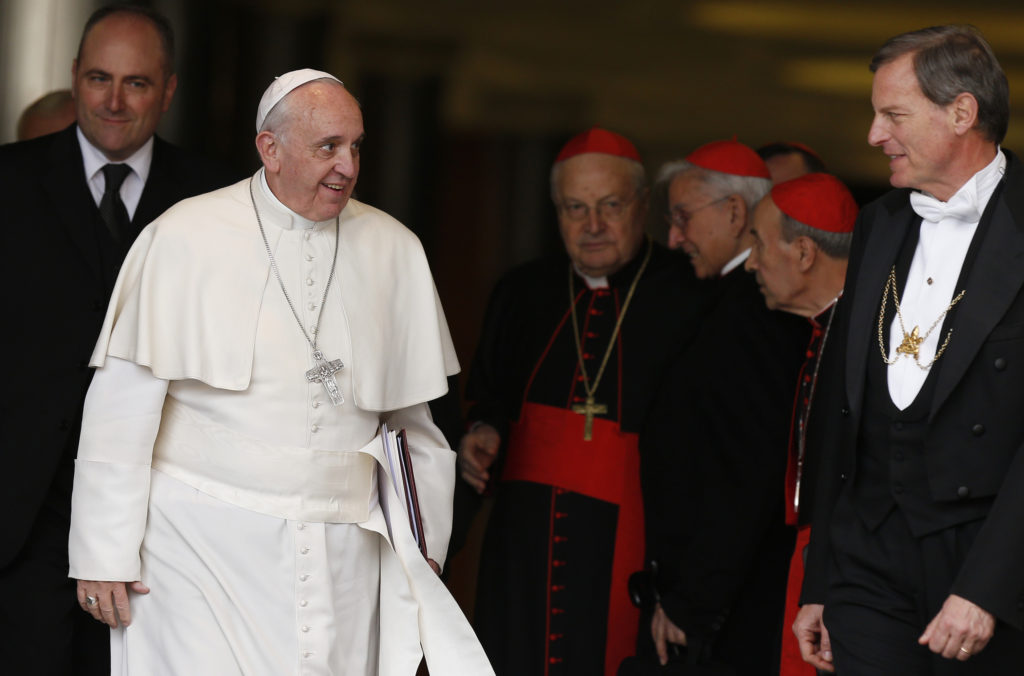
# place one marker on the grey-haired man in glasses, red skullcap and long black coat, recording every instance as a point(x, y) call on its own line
point(714, 450)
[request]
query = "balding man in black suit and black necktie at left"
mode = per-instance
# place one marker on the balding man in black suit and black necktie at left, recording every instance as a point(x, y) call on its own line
point(65, 237)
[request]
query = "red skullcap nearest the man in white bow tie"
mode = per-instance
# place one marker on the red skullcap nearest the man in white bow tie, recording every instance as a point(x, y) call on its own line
point(821, 201)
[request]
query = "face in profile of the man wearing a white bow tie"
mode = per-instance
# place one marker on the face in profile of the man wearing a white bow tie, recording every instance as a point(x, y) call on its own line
point(917, 135)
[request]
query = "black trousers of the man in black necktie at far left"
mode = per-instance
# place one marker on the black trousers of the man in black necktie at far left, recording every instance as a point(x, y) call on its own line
point(44, 631)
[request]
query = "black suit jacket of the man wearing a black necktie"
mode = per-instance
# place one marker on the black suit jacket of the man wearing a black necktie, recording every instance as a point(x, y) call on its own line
point(60, 266)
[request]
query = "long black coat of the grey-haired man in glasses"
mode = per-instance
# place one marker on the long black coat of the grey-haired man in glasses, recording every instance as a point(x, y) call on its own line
point(713, 461)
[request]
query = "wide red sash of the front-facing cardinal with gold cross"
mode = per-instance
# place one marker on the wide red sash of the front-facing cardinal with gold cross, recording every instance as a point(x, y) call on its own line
point(546, 446)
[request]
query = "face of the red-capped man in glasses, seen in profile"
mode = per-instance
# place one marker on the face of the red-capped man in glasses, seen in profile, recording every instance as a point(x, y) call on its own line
point(701, 225)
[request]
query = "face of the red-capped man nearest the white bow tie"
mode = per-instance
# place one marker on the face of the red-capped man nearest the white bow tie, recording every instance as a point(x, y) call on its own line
point(774, 261)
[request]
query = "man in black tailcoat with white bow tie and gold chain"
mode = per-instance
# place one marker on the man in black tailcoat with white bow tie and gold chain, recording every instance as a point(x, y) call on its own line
point(917, 558)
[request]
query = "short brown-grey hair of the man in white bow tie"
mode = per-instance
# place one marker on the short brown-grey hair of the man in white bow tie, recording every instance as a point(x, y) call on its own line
point(950, 61)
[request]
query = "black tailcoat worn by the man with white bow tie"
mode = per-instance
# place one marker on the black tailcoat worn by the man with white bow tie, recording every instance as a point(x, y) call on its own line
point(975, 440)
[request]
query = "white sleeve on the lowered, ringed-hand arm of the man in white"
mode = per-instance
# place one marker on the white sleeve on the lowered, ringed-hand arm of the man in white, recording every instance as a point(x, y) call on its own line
point(112, 474)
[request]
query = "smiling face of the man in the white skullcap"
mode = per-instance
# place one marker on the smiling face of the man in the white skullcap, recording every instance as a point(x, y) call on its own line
point(316, 163)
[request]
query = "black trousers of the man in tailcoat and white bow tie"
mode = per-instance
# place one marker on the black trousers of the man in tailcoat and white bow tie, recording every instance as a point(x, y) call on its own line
point(886, 586)
